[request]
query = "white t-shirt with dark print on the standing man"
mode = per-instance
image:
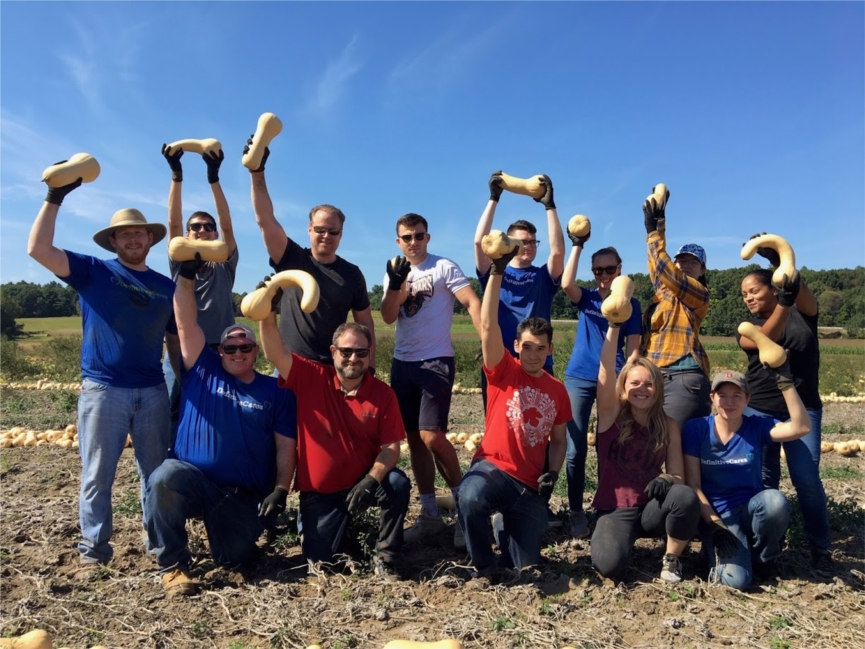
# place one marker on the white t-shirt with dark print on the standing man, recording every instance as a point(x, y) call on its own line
point(423, 328)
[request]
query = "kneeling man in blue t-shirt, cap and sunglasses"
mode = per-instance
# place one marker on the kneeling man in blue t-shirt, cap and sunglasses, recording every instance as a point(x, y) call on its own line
point(233, 422)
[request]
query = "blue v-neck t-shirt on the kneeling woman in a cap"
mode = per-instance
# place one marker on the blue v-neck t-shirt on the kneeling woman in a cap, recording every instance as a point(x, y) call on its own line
point(730, 474)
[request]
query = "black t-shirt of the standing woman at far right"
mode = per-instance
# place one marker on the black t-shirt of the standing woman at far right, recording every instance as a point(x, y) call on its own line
point(799, 338)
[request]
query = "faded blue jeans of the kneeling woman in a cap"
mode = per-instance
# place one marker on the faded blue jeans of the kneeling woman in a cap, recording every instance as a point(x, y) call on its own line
point(759, 524)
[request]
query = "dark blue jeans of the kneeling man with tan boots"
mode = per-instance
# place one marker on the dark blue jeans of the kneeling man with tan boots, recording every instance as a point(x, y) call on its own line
point(179, 491)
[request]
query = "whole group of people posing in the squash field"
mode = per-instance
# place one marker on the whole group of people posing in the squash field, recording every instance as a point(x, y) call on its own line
point(215, 439)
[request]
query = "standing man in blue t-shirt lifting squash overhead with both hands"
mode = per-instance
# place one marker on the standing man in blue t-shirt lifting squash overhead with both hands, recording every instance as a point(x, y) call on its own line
point(527, 290)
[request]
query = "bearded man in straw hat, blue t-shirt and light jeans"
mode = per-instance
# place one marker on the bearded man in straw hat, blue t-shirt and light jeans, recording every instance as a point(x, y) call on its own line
point(126, 310)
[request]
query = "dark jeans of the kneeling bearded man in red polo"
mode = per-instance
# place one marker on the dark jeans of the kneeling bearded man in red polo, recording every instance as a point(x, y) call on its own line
point(324, 517)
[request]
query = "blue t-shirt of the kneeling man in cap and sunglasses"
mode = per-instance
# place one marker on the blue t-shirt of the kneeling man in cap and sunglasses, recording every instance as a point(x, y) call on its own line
point(226, 426)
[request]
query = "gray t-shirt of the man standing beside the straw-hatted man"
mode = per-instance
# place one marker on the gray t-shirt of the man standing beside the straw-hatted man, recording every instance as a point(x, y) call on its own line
point(213, 285)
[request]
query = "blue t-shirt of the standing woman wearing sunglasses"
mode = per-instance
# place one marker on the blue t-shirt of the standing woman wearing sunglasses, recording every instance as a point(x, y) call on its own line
point(591, 331)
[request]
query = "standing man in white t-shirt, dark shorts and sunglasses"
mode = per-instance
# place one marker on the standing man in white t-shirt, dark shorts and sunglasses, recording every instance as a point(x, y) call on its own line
point(422, 372)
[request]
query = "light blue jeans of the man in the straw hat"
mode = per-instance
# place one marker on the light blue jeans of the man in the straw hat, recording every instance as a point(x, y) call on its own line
point(106, 415)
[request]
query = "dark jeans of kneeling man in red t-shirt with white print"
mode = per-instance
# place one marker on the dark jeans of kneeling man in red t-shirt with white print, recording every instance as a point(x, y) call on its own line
point(486, 489)
